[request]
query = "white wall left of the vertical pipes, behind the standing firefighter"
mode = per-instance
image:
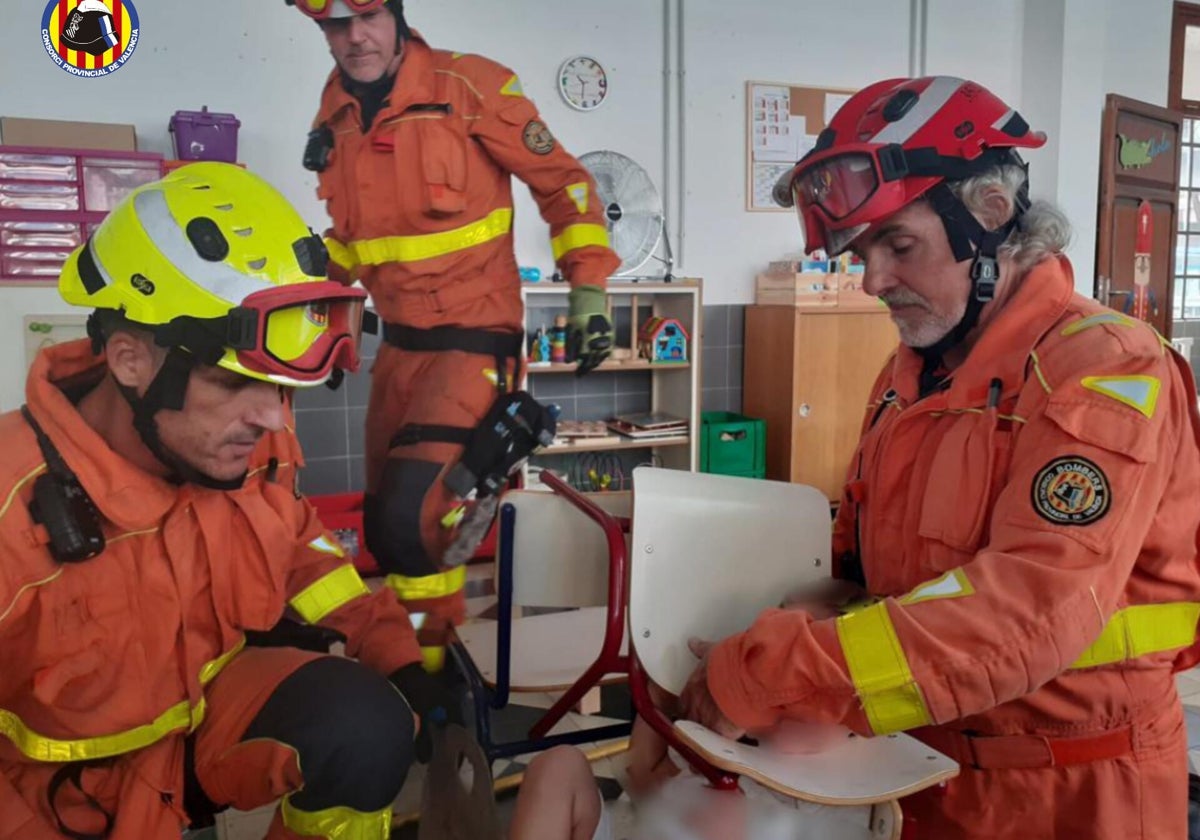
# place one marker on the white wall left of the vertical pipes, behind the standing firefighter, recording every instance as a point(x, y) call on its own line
point(267, 64)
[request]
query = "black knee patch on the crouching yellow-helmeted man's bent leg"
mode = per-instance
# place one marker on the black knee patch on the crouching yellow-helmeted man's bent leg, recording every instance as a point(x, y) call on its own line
point(355, 734)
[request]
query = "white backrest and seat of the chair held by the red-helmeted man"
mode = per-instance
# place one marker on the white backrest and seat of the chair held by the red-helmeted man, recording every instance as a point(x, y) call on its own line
point(709, 555)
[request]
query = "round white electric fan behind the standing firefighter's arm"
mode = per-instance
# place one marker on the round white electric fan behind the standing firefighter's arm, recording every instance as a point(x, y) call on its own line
point(633, 213)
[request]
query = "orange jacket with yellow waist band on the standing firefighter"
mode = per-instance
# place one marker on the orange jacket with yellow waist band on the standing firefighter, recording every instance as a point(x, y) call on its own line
point(423, 202)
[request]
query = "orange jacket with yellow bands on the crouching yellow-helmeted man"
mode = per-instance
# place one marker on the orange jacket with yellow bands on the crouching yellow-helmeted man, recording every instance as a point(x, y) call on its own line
point(112, 656)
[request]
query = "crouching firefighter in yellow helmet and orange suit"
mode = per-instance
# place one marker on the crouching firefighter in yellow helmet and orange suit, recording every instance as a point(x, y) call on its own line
point(151, 520)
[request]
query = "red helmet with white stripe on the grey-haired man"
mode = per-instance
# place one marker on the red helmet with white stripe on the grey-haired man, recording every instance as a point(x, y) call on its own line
point(892, 143)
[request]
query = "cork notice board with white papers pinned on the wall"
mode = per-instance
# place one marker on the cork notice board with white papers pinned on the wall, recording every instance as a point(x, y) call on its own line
point(783, 123)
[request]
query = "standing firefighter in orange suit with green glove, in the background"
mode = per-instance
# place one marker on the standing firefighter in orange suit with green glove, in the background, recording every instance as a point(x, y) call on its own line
point(415, 148)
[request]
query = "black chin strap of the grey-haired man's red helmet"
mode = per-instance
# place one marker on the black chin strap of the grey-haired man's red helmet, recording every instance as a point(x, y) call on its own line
point(969, 241)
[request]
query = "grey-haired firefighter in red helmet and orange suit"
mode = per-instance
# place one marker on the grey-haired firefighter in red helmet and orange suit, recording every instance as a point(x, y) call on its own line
point(1022, 511)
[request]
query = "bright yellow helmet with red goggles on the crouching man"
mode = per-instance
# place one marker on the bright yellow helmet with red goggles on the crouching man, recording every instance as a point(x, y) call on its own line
point(214, 261)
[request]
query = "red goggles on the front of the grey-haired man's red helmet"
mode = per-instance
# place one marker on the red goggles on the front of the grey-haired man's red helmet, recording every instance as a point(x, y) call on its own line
point(841, 193)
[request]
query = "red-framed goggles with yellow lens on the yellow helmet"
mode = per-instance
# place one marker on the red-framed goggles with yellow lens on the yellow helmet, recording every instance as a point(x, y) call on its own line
point(298, 333)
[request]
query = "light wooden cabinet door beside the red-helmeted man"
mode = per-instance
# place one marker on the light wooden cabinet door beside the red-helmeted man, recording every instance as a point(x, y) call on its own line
point(838, 357)
